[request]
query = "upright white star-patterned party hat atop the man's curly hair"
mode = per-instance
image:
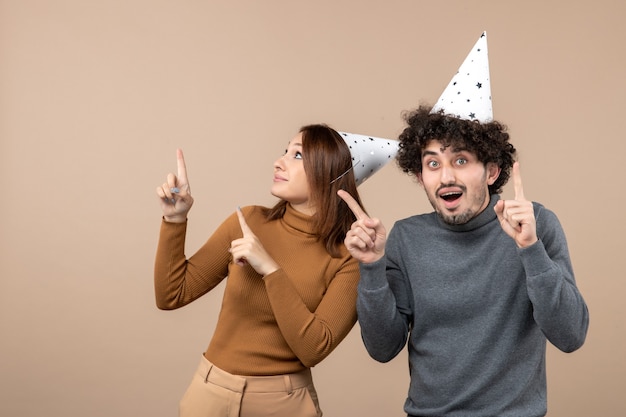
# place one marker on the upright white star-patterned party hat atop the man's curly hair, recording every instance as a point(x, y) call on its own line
point(468, 96)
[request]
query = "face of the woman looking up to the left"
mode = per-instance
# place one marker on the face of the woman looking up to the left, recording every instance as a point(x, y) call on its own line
point(290, 182)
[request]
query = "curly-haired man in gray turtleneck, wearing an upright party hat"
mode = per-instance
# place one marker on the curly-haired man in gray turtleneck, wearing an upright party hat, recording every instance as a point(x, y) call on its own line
point(475, 287)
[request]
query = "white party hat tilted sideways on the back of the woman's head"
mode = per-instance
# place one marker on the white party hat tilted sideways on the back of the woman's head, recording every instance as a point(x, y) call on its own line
point(369, 154)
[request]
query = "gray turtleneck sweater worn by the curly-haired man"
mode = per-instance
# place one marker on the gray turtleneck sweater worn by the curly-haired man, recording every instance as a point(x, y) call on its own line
point(476, 311)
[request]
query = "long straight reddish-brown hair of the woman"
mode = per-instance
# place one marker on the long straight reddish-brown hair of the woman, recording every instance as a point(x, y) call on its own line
point(328, 166)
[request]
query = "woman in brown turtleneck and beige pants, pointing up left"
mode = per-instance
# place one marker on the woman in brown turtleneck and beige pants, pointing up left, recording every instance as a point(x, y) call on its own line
point(290, 295)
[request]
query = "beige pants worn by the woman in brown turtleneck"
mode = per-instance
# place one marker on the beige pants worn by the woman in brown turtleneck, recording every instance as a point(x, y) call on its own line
point(214, 392)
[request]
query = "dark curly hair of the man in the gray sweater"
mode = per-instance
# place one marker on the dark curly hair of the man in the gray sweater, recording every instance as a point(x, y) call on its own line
point(488, 141)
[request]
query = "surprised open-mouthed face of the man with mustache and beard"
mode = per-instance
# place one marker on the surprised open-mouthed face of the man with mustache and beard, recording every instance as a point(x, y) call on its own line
point(456, 182)
